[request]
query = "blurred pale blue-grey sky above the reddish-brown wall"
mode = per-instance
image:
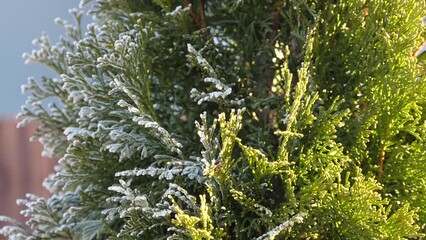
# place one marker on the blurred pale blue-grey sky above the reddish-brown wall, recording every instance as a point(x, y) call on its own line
point(20, 22)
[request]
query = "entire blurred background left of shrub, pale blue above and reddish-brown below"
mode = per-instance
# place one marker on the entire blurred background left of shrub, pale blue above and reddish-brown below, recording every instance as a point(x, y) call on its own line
point(22, 169)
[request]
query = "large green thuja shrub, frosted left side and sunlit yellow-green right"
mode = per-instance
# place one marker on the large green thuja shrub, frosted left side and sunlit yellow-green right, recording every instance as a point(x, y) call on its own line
point(244, 119)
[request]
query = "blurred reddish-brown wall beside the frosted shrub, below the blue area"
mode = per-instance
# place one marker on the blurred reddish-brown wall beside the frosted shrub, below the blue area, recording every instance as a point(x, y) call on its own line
point(22, 169)
